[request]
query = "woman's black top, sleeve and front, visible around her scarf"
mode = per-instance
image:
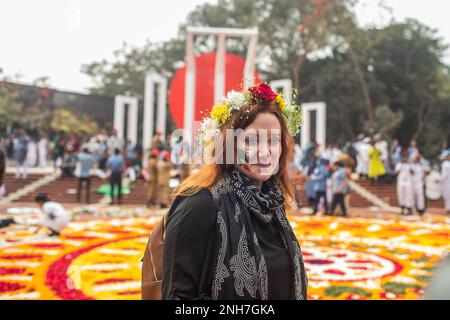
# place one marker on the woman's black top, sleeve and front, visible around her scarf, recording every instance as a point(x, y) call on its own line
point(190, 251)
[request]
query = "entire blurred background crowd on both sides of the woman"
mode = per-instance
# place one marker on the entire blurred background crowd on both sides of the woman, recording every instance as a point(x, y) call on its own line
point(327, 170)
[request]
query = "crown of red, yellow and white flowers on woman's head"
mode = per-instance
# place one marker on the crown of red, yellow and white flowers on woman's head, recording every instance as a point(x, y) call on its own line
point(234, 101)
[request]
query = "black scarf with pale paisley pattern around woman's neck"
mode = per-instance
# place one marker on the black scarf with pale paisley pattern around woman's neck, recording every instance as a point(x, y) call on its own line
point(241, 270)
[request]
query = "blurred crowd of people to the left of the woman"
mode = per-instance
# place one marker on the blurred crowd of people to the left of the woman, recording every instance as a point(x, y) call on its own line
point(103, 155)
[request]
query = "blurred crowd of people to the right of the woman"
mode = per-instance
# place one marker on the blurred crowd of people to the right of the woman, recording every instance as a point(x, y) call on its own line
point(375, 159)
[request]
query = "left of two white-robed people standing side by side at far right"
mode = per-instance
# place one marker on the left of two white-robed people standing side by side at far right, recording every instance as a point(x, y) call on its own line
point(405, 196)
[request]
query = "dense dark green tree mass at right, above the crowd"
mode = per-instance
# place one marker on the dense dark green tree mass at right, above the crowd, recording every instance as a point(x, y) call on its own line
point(406, 79)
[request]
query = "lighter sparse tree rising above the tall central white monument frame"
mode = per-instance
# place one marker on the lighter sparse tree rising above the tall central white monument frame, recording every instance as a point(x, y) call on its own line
point(289, 30)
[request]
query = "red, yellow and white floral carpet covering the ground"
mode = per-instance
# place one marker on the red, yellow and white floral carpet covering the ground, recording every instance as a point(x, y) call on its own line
point(346, 258)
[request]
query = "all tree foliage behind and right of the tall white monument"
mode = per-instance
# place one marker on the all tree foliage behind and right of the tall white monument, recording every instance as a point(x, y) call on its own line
point(391, 80)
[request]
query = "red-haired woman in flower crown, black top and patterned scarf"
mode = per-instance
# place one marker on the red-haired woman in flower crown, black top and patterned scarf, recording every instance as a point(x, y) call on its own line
point(227, 235)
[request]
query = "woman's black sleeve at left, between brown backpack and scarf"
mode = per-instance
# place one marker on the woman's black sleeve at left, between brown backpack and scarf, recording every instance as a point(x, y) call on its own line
point(189, 248)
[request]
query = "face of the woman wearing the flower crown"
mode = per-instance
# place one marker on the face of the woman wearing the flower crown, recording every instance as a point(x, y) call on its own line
point(262, 147)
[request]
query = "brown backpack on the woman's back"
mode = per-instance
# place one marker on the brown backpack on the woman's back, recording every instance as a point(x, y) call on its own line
point(152, 263)
